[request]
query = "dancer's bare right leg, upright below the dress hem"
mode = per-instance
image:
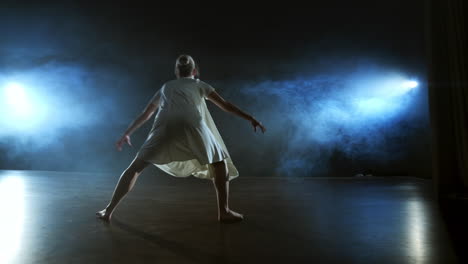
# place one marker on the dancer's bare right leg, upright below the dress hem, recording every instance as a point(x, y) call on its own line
point(221, 185)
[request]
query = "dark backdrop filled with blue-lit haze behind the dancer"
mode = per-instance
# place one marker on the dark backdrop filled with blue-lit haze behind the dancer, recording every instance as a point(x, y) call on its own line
point(95, 66)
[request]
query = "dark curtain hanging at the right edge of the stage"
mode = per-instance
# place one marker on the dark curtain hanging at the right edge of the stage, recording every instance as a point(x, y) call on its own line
point(448, 94)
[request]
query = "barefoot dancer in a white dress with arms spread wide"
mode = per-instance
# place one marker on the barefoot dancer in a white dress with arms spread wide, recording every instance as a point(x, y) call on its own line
point(184, 139)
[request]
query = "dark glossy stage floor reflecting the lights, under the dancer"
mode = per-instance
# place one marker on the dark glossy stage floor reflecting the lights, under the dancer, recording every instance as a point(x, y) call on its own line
point(48, 217)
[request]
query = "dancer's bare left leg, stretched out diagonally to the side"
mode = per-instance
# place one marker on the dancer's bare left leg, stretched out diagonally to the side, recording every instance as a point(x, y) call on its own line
point(126, 182)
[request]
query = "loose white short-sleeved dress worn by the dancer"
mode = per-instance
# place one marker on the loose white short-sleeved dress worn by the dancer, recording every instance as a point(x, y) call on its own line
point(184, 139)
